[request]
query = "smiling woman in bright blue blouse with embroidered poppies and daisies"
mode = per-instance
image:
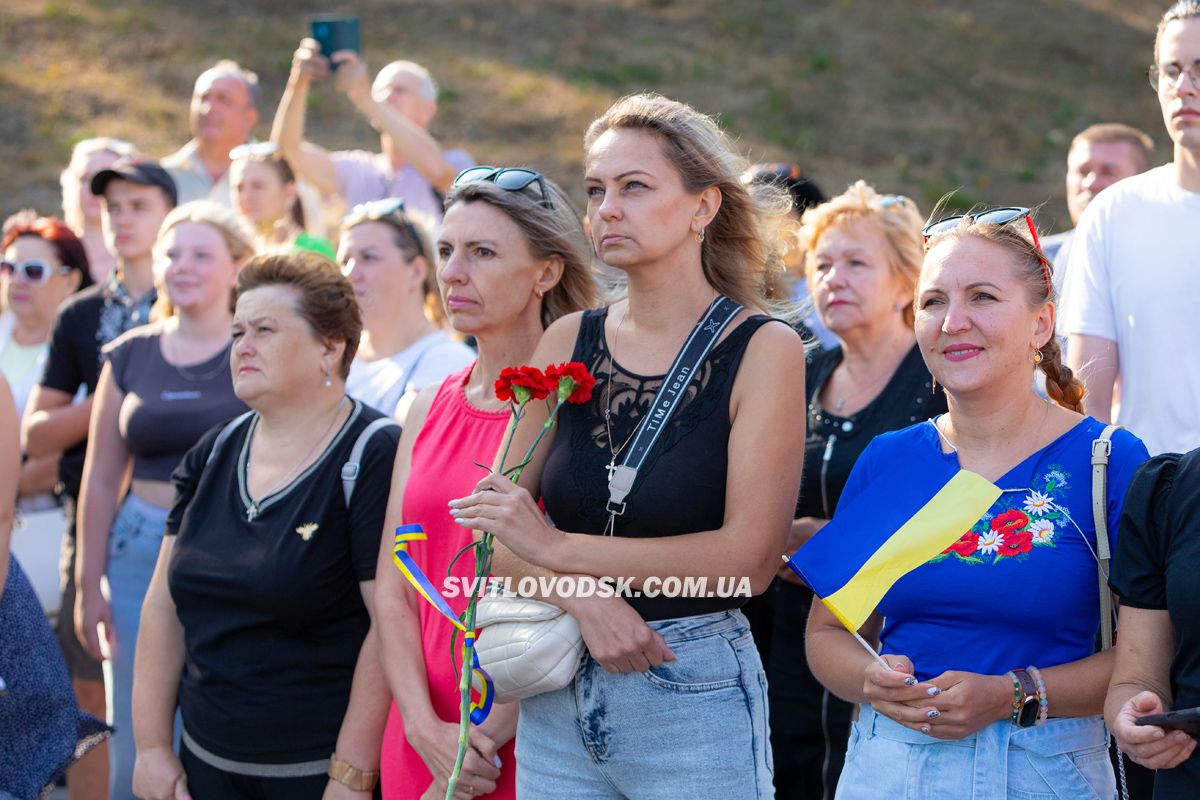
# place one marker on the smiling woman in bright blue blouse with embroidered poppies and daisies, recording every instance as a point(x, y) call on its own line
point(995, 688)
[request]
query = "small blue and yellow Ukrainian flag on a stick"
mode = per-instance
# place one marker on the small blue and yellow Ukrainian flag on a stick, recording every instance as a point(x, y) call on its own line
point(899, 522)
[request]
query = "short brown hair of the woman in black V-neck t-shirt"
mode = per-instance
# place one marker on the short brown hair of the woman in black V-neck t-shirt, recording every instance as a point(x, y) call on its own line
point(327, 299)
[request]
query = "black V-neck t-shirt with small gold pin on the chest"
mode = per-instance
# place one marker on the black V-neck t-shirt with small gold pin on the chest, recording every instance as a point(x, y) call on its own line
point(272, 609)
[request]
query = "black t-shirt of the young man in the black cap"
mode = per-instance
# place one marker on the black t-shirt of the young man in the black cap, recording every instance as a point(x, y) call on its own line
point(85, 324)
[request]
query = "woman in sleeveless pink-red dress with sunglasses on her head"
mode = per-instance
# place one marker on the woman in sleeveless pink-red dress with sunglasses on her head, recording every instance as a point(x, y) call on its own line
point(511, 262)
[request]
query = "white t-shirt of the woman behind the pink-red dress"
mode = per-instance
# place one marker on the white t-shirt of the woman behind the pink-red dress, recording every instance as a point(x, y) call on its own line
point(391, 384)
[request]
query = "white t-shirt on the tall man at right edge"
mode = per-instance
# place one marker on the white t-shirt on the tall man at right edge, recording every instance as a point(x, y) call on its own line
point(1133, 279)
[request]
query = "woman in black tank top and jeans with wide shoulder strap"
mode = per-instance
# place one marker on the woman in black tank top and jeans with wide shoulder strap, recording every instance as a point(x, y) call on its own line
point(670, 699)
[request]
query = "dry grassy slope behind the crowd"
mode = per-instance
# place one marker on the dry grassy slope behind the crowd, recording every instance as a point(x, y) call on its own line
point(920, 98)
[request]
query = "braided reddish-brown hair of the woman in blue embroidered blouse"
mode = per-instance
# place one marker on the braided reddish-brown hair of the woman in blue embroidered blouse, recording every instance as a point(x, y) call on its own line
point(1035, 269)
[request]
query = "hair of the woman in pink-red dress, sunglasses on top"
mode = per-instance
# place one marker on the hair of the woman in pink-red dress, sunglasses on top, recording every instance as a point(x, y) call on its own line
point(551, 228)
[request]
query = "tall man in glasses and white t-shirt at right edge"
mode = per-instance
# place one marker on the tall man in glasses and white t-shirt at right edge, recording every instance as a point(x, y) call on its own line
point(1133, 279)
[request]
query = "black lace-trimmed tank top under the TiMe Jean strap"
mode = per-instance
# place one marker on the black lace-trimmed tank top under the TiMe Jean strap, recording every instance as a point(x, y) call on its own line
point(681, 486)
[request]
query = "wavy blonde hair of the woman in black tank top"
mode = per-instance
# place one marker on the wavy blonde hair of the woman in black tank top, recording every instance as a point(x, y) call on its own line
point(741, 255)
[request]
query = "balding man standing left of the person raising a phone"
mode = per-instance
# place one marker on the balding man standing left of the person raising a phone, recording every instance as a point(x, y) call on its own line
point(224, 112)
